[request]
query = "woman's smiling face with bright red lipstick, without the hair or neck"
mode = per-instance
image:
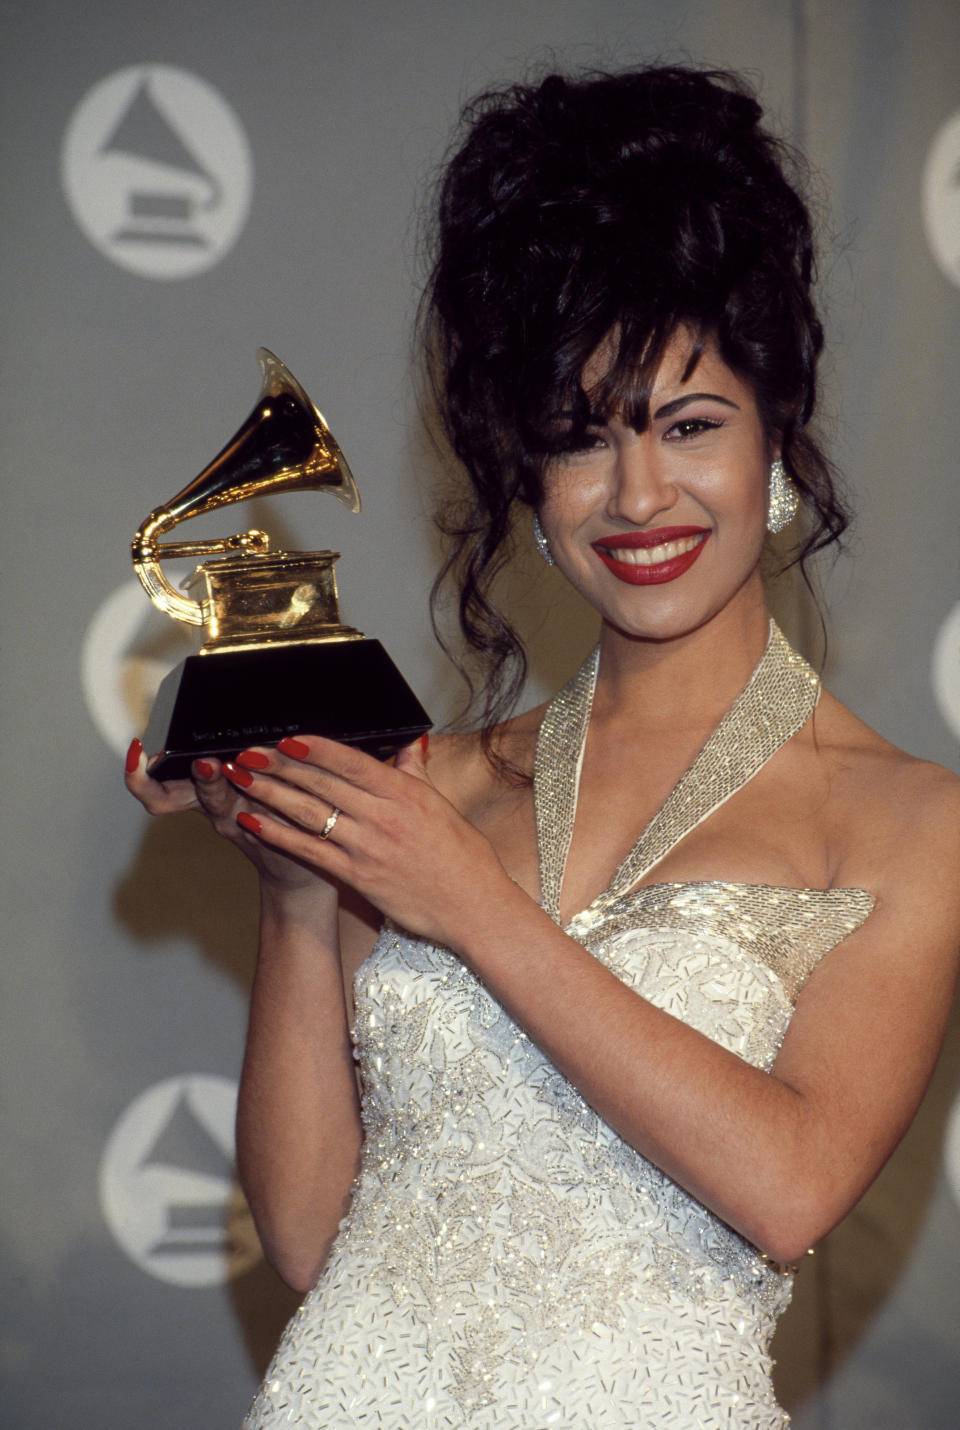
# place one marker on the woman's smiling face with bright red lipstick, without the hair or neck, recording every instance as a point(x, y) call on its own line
point(660, 530)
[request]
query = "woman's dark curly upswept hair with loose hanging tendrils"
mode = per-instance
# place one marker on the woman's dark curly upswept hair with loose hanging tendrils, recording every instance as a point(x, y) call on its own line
point(609, 209)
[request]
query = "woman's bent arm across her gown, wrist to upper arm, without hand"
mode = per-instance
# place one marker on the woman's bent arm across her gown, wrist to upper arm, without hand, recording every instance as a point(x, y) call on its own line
point(780, 1158)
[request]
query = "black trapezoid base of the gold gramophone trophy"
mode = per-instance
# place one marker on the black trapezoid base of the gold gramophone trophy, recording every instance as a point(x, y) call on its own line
point(217, 706)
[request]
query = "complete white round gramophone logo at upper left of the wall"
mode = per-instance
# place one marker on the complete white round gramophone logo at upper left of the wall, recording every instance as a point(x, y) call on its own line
point(158, 171)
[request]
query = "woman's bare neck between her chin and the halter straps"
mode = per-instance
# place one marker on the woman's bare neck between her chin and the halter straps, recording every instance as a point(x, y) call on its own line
point(686, 681)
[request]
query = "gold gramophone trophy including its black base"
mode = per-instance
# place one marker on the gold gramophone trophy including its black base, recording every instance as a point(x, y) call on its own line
point(277, 660)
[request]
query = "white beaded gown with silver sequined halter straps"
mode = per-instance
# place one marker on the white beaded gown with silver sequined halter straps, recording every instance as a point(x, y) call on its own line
point(509, 1263)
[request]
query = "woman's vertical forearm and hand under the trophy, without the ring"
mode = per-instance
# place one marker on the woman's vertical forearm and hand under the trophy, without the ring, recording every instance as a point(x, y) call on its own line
point(298, 1113)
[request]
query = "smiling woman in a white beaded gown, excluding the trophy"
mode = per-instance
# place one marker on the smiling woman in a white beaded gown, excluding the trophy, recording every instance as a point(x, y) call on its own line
point(667, 962)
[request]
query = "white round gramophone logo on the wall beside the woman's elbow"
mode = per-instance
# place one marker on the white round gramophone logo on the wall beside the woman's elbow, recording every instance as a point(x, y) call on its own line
point(168, 1188)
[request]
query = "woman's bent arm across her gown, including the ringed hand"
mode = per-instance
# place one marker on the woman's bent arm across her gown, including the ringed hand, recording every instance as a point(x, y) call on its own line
point(780, 1158)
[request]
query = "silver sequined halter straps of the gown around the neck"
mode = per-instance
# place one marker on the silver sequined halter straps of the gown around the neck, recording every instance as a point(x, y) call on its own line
point(775, 704)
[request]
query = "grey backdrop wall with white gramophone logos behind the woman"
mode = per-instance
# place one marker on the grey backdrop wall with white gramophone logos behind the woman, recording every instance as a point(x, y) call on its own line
point(182, 185)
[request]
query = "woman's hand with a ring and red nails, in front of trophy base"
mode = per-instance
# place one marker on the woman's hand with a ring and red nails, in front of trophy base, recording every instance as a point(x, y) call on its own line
point(394, 839)
